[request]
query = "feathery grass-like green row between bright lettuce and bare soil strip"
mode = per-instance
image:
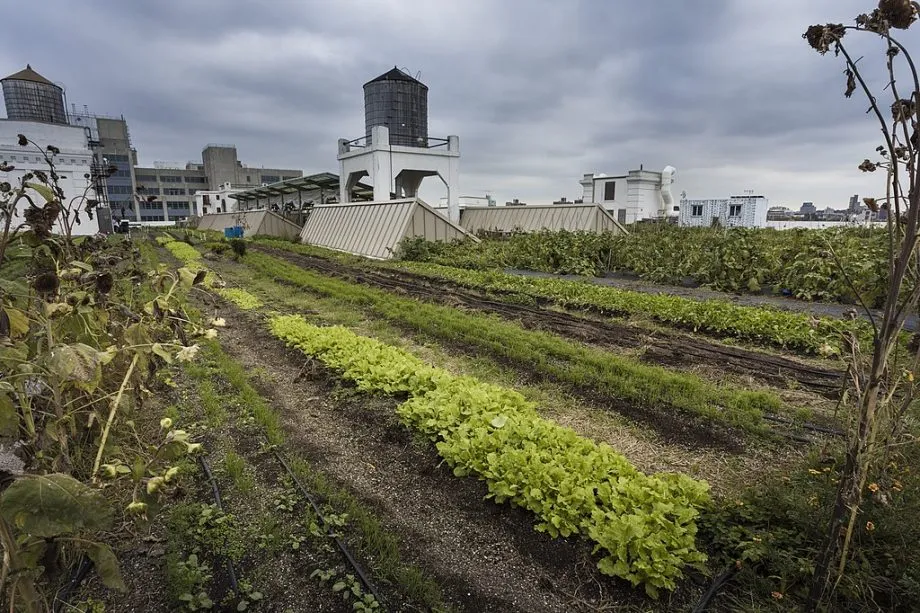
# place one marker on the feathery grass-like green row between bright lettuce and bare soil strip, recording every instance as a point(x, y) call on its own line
point(545, 353)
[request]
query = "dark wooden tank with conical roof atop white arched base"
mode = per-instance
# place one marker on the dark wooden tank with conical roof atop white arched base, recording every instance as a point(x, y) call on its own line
point(398, 101)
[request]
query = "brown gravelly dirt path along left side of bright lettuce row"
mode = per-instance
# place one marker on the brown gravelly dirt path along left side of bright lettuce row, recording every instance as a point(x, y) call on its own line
point(488, 557)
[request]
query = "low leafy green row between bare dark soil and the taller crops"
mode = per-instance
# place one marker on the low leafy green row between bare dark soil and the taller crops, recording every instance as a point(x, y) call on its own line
point(786, 329)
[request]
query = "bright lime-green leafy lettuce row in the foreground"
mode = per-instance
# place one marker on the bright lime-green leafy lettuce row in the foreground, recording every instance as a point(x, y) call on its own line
point(644, 525)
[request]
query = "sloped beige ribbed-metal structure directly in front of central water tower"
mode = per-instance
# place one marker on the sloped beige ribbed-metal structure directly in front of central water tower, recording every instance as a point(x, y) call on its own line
point(375, 229)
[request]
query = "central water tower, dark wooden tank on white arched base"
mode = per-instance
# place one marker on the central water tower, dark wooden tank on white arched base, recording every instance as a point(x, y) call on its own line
point(396, 152)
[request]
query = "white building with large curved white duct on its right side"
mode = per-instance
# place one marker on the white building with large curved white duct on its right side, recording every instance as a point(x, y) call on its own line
point(637, 195)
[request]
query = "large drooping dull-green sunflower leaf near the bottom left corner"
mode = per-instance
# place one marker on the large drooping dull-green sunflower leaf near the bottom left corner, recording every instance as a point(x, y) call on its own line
point(47, 506)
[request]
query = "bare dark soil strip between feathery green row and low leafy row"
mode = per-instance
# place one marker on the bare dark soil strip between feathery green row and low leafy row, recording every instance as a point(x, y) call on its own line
point(658, 347)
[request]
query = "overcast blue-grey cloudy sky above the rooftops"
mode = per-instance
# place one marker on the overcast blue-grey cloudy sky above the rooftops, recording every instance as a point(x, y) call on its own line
point(539, 92)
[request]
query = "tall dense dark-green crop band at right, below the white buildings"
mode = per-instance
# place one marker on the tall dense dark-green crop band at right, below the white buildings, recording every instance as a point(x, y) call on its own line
point(837, 264)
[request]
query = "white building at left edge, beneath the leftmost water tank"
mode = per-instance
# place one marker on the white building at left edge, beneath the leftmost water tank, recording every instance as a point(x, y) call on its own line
point(74, 161)
